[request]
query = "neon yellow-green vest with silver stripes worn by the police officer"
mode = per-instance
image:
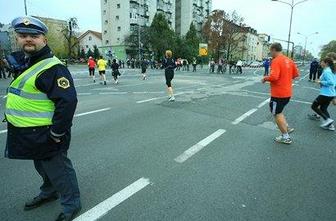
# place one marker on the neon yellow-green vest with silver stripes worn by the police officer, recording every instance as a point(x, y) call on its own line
point(26, 106)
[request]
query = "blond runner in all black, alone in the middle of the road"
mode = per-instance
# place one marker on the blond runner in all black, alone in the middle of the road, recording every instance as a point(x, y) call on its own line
point(169, 66)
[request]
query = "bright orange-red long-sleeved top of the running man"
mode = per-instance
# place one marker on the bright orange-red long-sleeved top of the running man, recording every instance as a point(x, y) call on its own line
point(283, 71)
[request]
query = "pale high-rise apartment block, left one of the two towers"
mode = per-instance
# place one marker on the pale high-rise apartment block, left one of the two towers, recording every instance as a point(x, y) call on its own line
point(121, 17)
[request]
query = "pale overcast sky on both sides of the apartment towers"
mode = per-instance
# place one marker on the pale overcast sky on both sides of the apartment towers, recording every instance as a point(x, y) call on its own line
point(263, 15)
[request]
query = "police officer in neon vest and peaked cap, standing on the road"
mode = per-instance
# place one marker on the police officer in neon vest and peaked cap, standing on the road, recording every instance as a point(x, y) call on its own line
point(40, 106)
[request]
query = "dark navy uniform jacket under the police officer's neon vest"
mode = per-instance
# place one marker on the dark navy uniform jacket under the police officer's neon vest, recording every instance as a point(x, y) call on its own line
point(36, 142)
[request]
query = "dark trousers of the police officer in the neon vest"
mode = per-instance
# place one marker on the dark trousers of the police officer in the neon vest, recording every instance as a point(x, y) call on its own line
point(59, 177)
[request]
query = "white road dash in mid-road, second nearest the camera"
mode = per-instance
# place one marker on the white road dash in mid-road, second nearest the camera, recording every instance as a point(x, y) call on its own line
point(199, 146)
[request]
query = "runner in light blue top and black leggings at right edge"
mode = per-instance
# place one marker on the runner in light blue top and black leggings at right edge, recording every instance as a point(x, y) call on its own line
point(327, 94)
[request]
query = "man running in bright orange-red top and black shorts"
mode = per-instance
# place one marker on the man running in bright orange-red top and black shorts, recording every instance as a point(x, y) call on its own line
point(283, 71)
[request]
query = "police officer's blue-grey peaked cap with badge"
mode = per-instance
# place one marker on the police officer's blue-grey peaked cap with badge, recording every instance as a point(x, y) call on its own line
point(29, 25)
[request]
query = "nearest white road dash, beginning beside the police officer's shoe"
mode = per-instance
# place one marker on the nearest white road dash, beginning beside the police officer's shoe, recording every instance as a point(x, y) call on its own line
point(104, 207)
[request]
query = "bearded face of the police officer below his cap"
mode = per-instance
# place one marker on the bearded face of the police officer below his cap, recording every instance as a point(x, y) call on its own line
point(31, 43)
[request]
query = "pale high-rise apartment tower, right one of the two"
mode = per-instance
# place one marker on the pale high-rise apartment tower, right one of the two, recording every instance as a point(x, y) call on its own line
point(188, 11)
